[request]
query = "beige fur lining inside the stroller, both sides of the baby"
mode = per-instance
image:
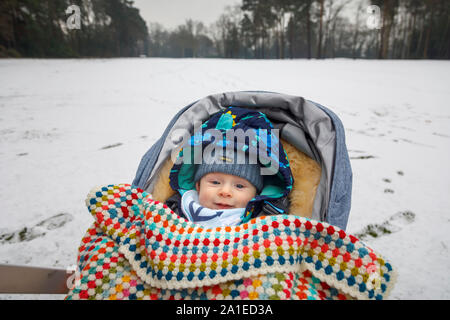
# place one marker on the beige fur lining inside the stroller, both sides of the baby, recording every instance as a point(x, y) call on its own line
point(305, 170)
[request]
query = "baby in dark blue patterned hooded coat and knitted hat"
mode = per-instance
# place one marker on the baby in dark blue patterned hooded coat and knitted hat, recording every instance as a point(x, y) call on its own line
point(222, 191)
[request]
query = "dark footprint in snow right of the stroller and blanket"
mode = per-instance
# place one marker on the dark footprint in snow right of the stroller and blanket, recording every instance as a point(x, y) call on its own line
point(394, 224)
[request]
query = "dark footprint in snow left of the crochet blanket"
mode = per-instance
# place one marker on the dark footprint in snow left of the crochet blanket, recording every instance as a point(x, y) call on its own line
point(36, 231)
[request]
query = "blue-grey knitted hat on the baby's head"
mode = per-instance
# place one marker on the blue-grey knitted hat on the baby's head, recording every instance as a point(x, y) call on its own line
point(229, 164)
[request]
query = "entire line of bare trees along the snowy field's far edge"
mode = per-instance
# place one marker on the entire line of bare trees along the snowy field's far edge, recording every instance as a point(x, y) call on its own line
point(254, 29)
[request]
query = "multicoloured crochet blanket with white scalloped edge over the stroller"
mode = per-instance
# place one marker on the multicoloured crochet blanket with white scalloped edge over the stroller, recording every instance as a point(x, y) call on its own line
point(138, 248)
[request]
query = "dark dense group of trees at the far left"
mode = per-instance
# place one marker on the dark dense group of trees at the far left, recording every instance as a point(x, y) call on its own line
point(107, 28)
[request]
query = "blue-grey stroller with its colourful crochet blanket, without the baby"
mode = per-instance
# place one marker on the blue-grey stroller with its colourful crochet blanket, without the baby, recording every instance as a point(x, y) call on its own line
point(137, 248)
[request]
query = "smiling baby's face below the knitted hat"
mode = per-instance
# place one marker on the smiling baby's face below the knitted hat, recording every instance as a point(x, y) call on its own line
point(218, 190)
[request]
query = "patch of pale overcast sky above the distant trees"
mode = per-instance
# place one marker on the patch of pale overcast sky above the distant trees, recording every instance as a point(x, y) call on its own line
point(171, 13)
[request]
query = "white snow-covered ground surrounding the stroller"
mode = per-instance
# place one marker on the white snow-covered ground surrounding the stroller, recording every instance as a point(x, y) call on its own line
point(69, 125)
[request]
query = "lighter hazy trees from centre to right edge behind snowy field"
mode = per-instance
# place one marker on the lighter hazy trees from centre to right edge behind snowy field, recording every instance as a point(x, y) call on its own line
point(280, 29)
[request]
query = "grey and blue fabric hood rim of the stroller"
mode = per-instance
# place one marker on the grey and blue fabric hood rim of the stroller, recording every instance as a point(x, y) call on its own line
point(309, 126)
